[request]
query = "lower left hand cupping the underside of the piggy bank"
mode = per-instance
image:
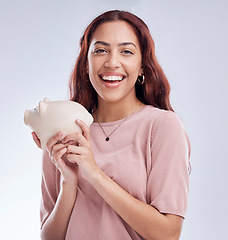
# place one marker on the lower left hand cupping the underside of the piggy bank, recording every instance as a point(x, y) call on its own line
point(57, 153)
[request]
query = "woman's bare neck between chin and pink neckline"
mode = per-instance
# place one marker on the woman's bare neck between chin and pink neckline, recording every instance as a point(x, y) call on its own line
point(110, 112)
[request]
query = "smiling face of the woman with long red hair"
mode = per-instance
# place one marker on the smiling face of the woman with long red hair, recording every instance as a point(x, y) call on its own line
point(114, 61)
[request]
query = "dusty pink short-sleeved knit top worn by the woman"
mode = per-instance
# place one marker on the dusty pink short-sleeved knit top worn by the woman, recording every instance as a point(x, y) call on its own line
point(147, 156)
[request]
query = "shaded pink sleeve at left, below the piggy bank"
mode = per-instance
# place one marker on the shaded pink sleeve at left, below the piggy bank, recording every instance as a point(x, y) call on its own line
point(49, 187)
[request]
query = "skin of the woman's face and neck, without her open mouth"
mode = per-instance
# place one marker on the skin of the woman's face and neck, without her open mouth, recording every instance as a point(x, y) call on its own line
point(115, 50)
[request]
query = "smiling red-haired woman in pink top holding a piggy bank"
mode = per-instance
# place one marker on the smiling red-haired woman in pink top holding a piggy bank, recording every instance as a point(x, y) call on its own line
point(127, 176)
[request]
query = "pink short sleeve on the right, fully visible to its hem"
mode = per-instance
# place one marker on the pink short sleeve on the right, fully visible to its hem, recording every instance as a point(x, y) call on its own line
point(168, 181)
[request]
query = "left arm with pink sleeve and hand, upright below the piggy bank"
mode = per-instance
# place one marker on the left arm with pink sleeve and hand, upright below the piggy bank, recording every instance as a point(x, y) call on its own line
point(59, 212)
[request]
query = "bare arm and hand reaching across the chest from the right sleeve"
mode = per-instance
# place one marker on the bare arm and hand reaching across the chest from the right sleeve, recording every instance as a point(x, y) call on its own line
point(143, 218)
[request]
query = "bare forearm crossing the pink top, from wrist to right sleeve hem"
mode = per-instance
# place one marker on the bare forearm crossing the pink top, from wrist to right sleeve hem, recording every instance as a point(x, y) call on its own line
point(143, 218)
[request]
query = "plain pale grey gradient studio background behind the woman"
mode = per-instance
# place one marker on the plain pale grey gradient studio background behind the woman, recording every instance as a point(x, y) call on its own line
point(38, 47)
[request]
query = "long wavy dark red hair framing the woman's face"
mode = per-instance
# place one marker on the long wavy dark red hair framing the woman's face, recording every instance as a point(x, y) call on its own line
point(156, 89)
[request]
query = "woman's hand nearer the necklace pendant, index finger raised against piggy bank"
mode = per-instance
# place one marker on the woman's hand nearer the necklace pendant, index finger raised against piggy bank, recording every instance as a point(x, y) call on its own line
point(81, 151)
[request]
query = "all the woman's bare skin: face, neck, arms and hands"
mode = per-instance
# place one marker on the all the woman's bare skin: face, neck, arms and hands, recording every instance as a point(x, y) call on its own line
point(107, 56)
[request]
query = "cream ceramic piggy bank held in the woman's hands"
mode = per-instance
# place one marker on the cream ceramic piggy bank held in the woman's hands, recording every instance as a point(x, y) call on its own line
point(50, 117)
